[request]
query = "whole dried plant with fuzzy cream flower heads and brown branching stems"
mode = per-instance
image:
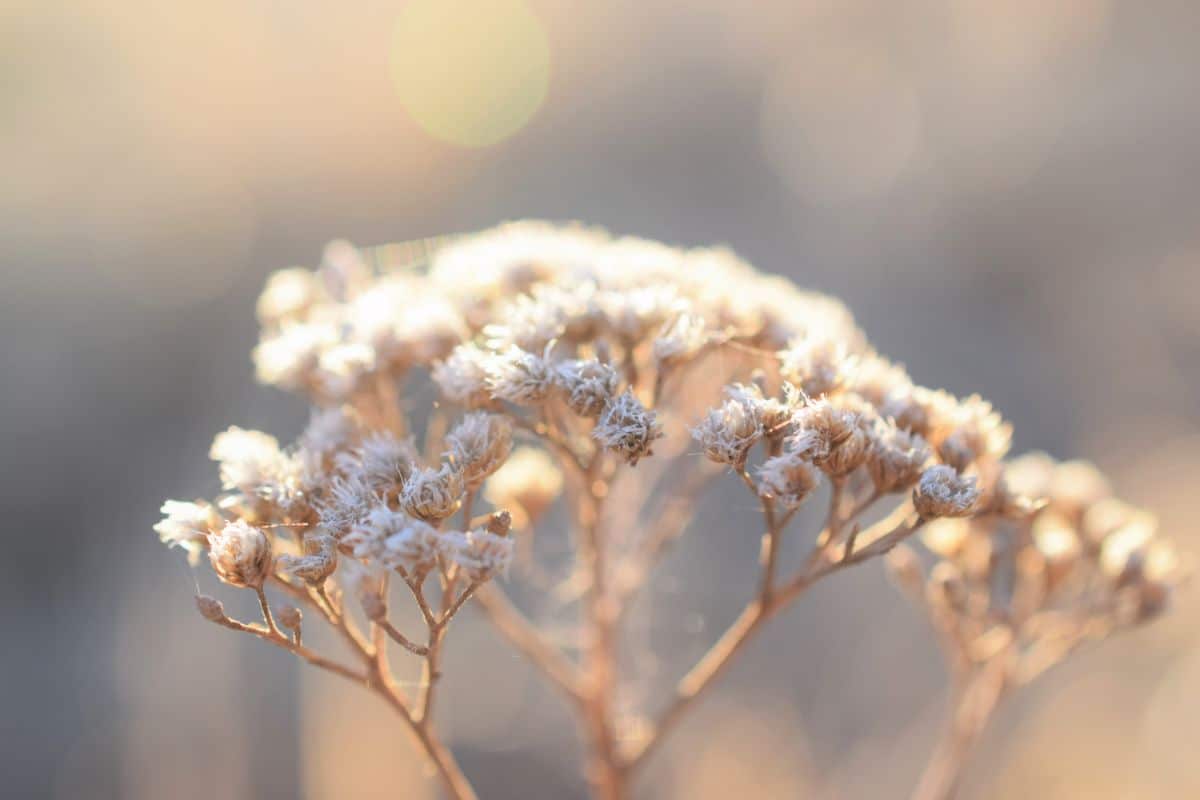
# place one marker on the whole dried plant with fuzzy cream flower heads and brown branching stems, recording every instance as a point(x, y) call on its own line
point(616, 363)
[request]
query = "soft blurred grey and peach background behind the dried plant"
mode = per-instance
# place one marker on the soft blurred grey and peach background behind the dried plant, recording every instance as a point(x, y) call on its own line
point(1005, 193)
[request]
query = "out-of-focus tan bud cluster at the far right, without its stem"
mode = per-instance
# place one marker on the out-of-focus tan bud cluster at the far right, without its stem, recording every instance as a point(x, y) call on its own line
point(1065, 563)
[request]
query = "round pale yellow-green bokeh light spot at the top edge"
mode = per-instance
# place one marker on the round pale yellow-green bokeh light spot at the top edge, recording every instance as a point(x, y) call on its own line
point(471, 74)
